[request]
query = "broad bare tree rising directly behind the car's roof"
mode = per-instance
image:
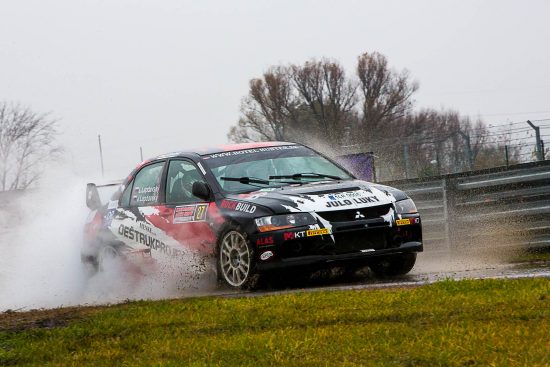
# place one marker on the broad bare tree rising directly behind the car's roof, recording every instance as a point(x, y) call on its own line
point(307, 103)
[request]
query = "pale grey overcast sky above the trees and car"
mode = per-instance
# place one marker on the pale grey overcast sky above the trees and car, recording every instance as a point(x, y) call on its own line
point(170, 74)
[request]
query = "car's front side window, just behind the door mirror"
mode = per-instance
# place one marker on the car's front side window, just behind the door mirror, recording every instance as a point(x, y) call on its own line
point(179, 182)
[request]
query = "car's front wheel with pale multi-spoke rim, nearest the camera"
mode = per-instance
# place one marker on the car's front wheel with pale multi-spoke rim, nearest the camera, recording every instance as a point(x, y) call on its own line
point(236, 259)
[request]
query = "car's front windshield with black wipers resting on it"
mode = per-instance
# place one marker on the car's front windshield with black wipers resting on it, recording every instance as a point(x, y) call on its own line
point(247, 170)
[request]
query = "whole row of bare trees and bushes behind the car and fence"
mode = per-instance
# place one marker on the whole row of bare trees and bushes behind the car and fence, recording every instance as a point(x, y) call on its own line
point(318, 104)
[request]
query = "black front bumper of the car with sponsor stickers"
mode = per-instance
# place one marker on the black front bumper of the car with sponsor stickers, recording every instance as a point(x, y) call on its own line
point(348, 242)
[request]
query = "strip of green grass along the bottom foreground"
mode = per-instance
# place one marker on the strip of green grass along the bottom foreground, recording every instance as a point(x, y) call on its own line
point(450, 323)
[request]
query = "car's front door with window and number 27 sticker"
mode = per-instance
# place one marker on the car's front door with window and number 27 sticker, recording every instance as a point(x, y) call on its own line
point(183, 216)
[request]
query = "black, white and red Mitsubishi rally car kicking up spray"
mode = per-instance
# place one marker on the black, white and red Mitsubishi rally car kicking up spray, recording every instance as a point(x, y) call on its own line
point(254, 208)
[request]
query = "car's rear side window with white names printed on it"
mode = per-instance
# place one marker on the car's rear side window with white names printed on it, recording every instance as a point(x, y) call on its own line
point(145, 190)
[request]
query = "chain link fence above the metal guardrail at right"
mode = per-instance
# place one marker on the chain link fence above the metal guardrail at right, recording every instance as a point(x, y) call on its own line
point(421, 155)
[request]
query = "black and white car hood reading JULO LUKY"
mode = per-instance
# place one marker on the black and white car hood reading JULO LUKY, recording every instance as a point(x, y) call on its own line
point(321, 196)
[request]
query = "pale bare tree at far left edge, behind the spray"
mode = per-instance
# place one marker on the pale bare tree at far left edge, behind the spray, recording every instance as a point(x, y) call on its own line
point(27, 139)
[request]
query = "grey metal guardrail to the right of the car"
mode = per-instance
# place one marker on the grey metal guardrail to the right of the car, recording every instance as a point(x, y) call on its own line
point(506, 206)
